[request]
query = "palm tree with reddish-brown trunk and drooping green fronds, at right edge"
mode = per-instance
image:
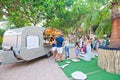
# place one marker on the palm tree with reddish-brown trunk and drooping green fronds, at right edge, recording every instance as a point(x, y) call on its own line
point(107, 20)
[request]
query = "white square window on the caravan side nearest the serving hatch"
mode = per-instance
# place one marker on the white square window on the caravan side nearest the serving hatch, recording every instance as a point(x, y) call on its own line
point(32, 42)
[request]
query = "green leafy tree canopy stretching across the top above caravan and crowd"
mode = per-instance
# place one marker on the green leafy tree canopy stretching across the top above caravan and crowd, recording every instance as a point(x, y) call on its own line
point(67, 15)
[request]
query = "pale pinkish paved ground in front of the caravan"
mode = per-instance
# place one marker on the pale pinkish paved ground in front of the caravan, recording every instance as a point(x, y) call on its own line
point(38, 69)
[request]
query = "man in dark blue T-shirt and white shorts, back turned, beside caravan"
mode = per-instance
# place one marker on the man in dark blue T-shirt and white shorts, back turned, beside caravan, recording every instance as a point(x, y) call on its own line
point(60, 43)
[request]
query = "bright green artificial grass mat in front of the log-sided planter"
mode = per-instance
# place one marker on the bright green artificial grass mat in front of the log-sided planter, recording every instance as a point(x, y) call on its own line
point(90, 68)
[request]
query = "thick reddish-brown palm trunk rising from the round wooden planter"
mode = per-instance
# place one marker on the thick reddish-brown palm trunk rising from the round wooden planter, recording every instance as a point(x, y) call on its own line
point(115, 34)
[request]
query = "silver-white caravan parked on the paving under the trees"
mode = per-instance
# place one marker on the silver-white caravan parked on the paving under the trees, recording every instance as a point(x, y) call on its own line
point(24, 44)
